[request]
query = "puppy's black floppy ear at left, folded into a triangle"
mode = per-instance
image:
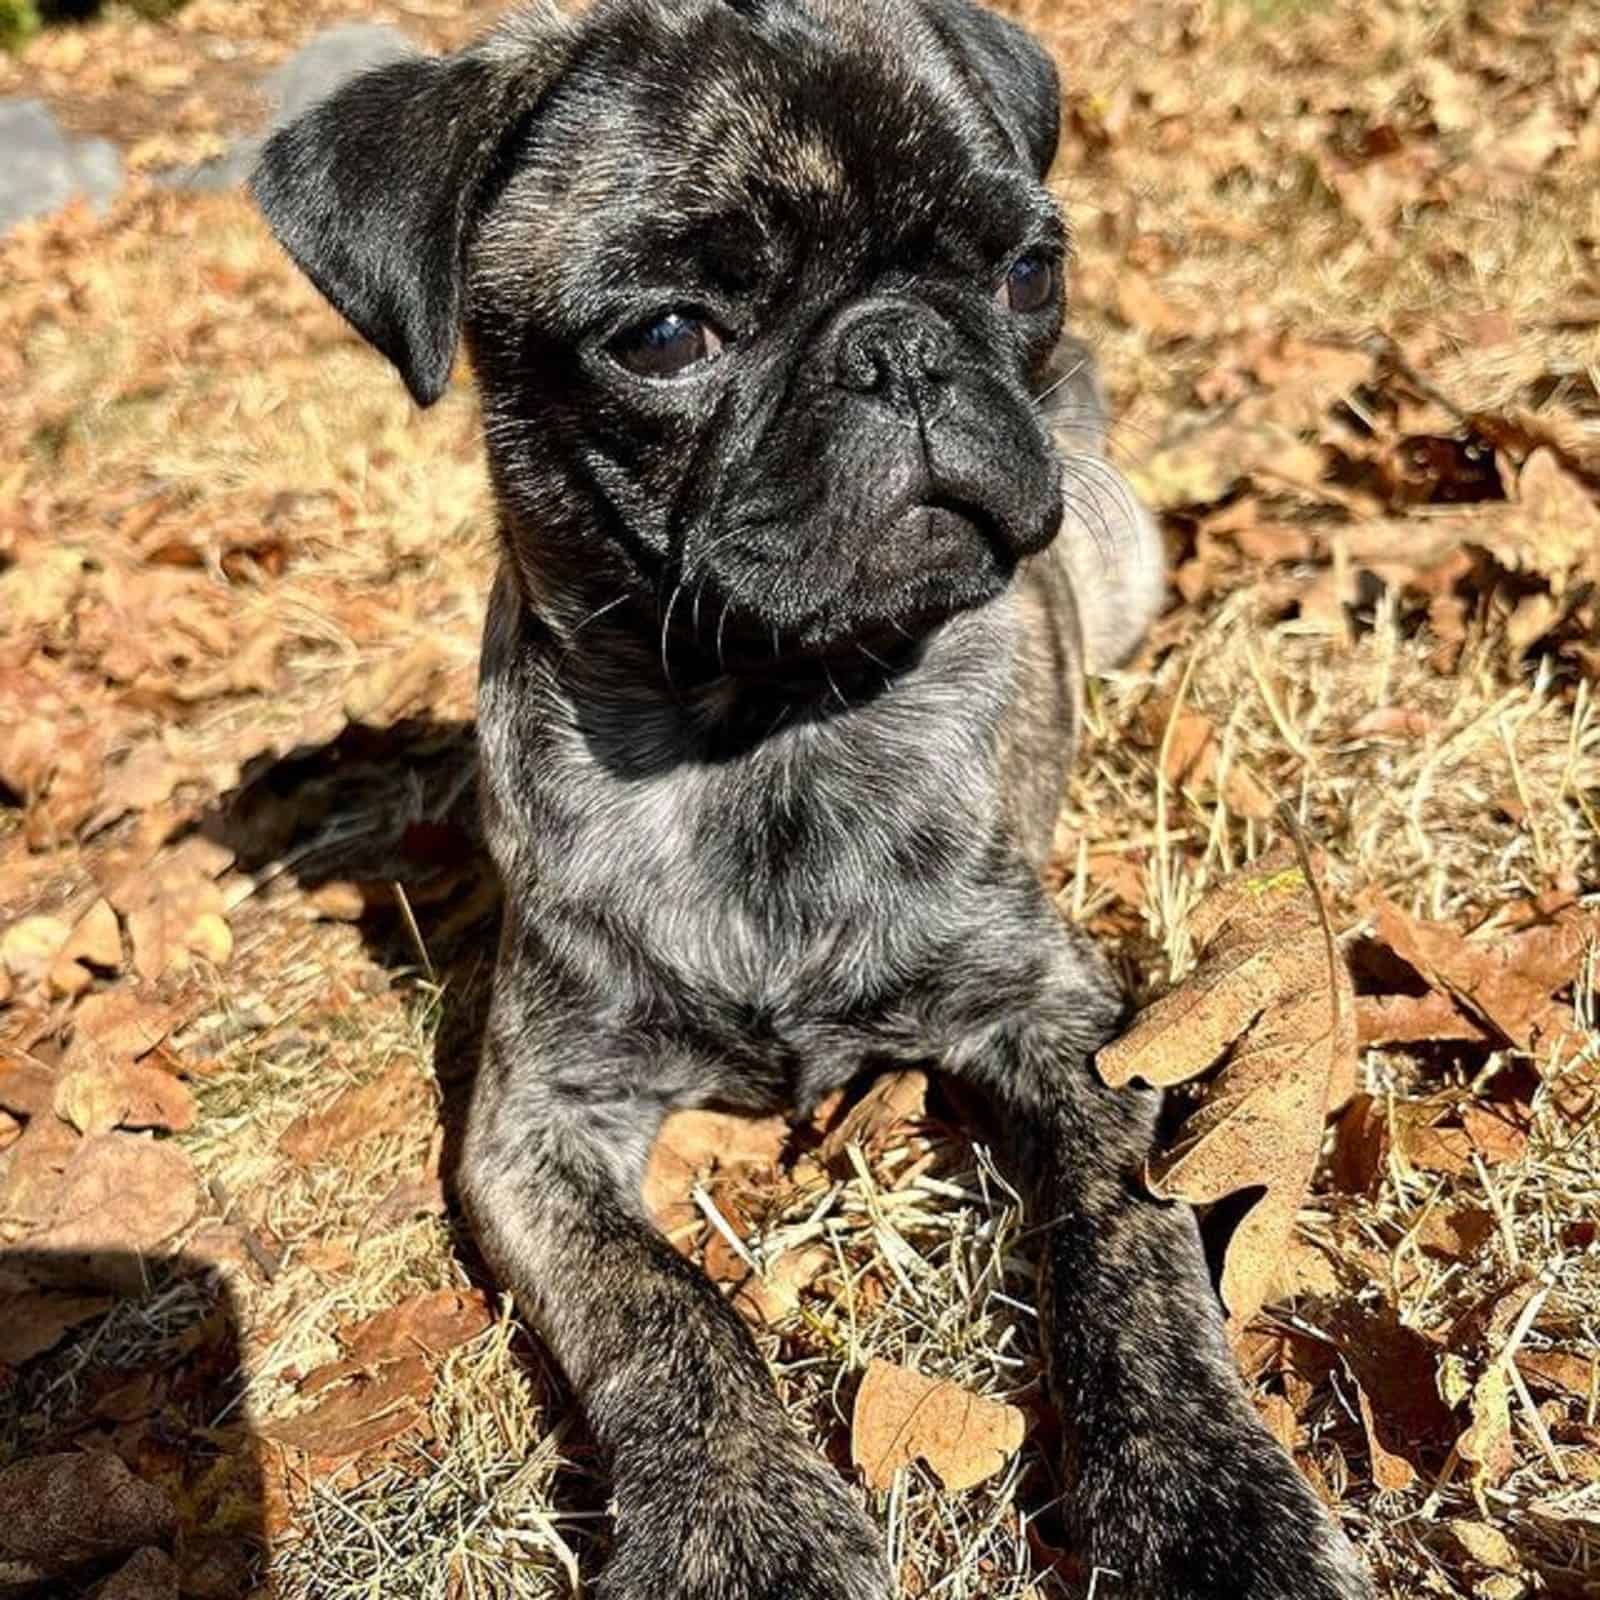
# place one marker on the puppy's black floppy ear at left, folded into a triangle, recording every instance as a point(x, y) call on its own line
point(375, 190)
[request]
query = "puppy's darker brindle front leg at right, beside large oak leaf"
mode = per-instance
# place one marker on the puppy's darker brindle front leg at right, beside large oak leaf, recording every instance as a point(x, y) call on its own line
point(1174, 1487)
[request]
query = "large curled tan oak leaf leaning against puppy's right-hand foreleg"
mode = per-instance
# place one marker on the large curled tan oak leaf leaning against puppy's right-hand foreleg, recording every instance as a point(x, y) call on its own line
point(1265, 994)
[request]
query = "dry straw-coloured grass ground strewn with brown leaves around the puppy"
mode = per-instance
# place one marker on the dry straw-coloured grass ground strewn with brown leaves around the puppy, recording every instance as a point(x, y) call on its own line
point(1343, 273)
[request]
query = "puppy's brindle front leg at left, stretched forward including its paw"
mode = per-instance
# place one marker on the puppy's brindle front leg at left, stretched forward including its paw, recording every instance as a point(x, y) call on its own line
point(718, 1495)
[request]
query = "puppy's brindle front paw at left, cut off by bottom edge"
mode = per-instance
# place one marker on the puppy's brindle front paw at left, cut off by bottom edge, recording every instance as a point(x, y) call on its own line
point(774, 1526)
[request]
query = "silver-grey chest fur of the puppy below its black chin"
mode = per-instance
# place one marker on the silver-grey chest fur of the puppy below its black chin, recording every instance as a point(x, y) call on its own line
point(847, 847)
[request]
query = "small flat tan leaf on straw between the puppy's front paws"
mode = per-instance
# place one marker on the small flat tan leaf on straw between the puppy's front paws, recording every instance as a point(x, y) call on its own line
point(902, 1417)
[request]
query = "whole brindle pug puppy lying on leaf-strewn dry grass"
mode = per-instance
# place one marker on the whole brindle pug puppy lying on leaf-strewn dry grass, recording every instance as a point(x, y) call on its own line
point(780, 686)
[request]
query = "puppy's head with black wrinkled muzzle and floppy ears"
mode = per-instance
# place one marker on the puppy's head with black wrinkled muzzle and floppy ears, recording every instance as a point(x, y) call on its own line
point(758, 292)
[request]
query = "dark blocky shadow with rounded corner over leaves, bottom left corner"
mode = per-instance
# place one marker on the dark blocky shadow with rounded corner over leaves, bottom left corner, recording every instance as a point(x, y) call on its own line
point(127, 1465)
